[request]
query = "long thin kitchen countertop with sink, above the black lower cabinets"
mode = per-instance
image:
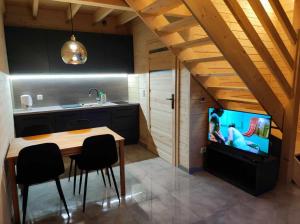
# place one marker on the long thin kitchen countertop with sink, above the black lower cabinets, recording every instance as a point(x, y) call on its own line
point(61, 108)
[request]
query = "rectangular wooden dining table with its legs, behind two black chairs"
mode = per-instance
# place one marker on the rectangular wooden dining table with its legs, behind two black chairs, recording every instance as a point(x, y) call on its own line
point(70, 143)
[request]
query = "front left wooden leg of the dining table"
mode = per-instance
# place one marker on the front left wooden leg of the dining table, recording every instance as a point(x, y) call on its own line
point(14, 190)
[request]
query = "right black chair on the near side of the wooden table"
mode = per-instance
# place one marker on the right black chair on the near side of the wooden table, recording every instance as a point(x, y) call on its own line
point(99, 152)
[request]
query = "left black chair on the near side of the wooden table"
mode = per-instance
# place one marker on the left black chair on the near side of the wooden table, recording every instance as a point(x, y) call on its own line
point(37, 164)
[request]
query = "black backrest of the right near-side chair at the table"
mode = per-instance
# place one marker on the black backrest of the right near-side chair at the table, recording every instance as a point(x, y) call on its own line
point(98, 152)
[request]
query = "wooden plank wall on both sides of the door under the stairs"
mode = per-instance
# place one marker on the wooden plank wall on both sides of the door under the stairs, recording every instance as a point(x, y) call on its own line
point(193, 112)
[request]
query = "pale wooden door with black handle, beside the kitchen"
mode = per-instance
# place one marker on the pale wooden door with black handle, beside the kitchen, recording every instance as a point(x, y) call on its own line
point(162, 104)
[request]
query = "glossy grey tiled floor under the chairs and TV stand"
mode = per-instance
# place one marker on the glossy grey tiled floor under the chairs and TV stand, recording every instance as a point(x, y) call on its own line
point(160, 193)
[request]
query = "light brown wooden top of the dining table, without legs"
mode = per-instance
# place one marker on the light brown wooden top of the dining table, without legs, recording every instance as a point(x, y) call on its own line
point(64, 140)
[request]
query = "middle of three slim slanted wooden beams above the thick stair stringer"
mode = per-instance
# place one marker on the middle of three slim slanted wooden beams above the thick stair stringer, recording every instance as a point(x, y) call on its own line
point(269, 27)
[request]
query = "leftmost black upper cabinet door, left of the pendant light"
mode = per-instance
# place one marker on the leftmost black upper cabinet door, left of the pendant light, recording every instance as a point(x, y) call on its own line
point(26, 50)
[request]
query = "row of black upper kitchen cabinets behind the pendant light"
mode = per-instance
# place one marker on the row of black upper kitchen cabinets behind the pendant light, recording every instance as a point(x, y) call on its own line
point(106, 53)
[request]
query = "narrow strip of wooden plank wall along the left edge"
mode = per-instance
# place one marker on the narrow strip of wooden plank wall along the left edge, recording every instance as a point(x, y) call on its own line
point(6, 124)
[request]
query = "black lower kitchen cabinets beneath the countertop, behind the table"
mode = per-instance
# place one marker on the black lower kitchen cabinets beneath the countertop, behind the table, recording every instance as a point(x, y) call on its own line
point(124, 120)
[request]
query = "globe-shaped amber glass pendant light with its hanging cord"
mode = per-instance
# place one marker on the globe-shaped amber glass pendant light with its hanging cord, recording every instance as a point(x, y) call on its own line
point(73, 52)
